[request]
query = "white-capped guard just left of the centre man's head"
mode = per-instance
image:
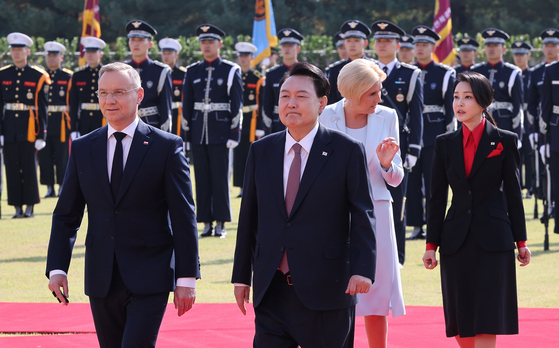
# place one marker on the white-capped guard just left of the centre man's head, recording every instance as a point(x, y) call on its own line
point(252, 128)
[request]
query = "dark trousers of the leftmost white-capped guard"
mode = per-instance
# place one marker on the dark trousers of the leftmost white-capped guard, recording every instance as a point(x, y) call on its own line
point(21, 173)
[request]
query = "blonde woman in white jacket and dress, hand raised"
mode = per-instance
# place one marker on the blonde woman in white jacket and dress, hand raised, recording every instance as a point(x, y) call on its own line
point(376, 126)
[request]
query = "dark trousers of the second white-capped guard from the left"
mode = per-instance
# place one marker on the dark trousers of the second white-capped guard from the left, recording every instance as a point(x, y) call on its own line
point(54, 154)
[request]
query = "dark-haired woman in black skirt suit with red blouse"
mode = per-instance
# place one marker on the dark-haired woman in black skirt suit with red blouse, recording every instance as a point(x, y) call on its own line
point(477, 235)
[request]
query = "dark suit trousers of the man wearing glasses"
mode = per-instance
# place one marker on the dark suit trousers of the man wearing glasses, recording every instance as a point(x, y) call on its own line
point(123, 319)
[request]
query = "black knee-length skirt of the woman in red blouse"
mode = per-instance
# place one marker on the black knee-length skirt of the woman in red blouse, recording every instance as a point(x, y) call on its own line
point(479, 291)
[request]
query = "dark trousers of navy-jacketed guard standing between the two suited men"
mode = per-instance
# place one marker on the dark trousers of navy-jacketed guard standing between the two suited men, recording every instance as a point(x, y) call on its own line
point(211, 170)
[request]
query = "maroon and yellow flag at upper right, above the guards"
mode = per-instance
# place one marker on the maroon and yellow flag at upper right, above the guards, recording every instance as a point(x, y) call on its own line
point(442, 24)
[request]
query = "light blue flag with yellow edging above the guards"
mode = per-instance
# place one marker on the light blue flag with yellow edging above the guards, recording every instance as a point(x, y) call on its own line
point(264, 30)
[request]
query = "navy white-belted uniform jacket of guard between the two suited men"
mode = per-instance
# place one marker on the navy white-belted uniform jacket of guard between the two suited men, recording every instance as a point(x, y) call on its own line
point(213, 102)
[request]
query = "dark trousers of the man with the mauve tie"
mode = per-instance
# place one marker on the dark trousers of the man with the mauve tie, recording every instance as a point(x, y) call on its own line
point(283, 321)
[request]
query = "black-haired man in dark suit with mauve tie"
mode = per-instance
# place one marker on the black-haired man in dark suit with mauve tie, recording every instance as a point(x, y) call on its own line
point(308, 258)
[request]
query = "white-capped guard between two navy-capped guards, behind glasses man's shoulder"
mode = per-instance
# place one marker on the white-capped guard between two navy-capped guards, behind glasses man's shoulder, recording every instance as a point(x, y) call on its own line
point(170, 49)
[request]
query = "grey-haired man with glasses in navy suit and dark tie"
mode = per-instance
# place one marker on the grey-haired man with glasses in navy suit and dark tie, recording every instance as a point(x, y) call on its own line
point(141, 241)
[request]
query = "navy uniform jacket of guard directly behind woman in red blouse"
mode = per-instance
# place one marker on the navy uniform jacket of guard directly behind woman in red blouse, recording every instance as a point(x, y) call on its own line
point(508, 94)
